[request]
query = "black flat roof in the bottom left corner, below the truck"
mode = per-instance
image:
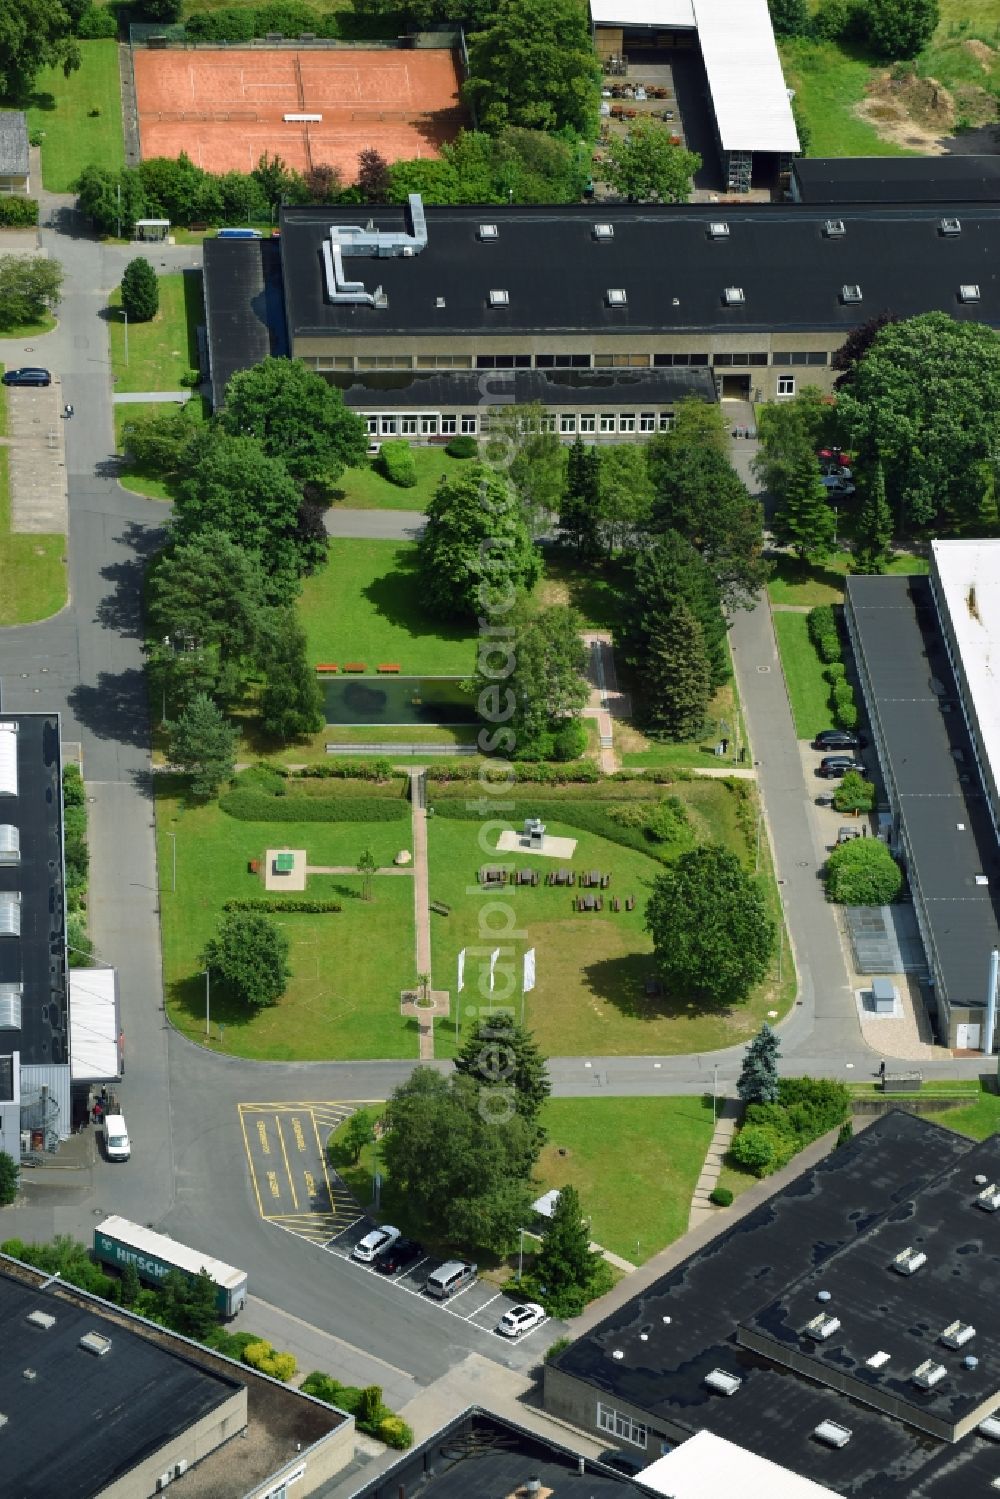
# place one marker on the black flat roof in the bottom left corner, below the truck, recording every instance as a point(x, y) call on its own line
point(83, 1422)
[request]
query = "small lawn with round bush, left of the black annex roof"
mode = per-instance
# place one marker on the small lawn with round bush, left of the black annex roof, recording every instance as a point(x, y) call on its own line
point(164, 350)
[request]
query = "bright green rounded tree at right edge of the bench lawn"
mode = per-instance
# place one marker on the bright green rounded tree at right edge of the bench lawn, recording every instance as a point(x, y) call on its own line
point(476, 548)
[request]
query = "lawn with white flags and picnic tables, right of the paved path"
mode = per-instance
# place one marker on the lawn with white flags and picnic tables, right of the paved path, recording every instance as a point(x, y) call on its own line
point(597, 989)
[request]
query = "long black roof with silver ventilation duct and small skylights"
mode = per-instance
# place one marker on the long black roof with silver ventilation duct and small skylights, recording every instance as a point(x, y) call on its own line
point(674, 274)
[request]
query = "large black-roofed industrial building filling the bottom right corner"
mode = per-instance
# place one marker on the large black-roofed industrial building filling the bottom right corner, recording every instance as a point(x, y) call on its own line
point(855, 1342)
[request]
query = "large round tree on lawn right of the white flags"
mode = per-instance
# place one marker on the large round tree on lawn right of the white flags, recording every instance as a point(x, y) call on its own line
point(710, 927)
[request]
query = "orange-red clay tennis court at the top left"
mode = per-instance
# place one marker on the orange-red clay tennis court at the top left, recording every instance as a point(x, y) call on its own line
point(226, 110)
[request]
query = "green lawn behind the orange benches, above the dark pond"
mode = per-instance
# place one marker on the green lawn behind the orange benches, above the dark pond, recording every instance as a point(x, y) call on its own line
point(367, 606)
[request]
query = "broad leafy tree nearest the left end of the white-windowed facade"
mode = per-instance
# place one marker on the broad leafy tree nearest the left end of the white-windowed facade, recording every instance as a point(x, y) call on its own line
point(296, 417)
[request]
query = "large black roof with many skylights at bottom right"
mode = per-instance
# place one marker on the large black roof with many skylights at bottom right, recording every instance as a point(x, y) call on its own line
point(902, 1183)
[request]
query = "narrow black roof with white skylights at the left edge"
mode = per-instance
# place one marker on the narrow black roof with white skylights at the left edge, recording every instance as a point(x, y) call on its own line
point(37, 960)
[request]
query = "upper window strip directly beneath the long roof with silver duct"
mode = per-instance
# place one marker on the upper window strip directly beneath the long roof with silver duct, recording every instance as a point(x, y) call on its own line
point(561, 362)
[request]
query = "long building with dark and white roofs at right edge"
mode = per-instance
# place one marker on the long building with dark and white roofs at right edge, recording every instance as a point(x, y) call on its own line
point(927, 654)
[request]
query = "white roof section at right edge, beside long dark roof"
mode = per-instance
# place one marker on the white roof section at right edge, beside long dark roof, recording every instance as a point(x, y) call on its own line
point(975, 620)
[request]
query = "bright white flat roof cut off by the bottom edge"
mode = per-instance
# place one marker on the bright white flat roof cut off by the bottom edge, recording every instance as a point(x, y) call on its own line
point(711, 1468)
